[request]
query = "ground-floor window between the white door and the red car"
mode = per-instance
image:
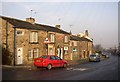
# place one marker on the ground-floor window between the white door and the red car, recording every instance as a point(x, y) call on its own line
point(33, 53)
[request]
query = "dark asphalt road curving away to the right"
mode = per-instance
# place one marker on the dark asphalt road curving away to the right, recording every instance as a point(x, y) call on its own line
point(104, 70)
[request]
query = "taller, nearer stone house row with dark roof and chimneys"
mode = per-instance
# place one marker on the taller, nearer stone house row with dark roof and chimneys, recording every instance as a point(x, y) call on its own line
point(22, 41)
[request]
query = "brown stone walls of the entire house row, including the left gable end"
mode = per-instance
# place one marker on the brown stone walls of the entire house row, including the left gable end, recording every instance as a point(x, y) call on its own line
point(23, 41)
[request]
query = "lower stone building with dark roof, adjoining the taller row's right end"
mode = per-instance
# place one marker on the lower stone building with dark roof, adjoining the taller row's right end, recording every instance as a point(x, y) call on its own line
point(80, 47)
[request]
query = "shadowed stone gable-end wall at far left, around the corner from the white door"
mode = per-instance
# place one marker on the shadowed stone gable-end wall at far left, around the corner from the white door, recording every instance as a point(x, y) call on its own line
point(7, 51)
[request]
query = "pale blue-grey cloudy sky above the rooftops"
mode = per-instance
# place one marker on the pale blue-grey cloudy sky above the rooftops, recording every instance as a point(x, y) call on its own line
point(99, 18)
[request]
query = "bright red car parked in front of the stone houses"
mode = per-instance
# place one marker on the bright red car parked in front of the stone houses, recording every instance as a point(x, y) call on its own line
point(50, 61)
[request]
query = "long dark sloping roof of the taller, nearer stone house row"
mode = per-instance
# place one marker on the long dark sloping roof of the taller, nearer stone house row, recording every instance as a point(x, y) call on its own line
point(26, 25)
